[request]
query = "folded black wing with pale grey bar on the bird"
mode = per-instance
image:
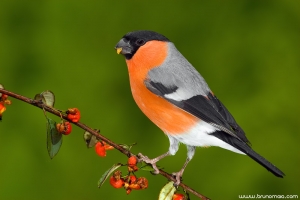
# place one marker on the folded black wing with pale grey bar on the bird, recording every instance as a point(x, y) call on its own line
point(206, 107)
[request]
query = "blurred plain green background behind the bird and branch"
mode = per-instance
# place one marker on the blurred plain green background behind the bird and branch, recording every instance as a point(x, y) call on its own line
point(248, 51)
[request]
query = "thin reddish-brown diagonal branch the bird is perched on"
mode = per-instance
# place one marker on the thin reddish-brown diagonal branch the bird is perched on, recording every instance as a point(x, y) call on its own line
point(126, 152)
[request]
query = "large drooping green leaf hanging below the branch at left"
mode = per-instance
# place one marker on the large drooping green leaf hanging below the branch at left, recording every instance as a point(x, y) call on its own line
point(54, 138)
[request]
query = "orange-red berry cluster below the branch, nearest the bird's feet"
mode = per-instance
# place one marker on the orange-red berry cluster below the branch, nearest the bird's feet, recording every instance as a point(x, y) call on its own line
point(129, 182)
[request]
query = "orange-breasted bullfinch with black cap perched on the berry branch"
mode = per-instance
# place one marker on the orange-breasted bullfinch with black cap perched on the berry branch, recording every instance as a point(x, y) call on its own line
point(177, 99)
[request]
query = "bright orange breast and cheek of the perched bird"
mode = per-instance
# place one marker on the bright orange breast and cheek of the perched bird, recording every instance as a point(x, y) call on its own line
point(166, 116)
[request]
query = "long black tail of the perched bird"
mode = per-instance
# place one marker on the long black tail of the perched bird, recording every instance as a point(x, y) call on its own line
point(242, 146)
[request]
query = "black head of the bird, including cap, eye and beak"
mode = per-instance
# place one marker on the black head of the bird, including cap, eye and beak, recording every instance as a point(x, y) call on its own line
point(132, 41)
